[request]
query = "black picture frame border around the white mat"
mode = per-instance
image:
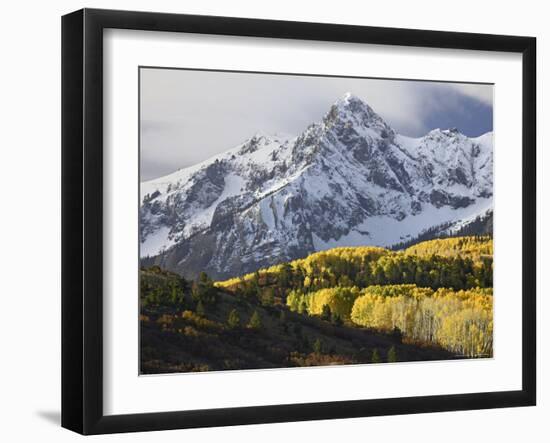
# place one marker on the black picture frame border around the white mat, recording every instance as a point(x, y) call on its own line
point(82, 219)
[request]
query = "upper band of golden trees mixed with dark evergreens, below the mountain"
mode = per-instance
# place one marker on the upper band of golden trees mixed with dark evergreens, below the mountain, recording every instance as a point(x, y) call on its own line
point(456, 263)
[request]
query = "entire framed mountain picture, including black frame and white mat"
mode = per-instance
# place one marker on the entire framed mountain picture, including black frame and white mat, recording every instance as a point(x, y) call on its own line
point(269, 221)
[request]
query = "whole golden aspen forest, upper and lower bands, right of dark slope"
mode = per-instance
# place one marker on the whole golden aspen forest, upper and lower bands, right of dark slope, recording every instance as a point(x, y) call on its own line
point(436, 292)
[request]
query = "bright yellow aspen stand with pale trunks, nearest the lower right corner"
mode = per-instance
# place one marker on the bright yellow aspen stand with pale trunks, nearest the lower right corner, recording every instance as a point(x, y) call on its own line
point(460, 321)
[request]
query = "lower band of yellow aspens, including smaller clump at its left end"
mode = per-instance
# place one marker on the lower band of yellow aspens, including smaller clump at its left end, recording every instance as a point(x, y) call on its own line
point(459, 321)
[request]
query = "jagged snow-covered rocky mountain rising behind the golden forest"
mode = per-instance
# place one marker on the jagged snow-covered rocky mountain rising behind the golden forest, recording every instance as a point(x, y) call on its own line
point(347, 180)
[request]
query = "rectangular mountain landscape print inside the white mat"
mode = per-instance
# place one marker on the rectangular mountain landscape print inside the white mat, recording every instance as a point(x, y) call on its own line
point(300, 220)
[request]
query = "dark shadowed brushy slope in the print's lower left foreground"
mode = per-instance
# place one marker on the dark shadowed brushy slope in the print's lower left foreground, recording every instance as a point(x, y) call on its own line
point(174, 338)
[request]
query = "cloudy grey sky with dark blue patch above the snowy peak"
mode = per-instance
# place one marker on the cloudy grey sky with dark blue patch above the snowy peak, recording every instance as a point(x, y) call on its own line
point(188, 116)
